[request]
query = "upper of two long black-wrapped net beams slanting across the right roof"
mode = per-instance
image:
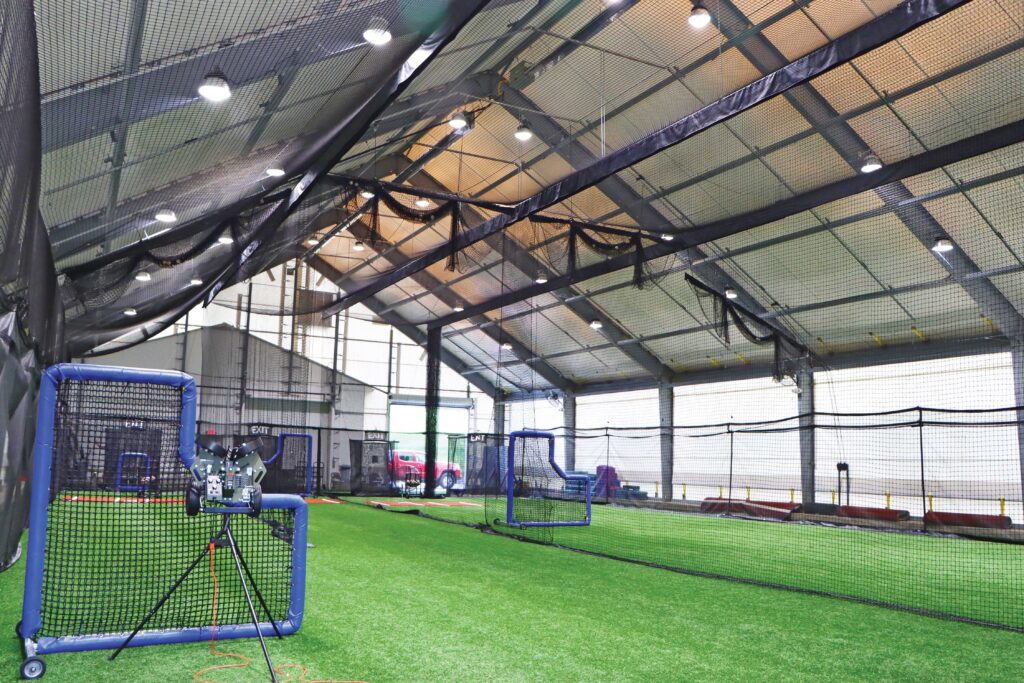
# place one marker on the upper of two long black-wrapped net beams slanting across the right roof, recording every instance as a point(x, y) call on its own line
point(859, 41)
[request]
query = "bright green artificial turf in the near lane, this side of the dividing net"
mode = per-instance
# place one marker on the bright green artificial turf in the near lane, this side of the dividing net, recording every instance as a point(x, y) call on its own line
point(398, 599)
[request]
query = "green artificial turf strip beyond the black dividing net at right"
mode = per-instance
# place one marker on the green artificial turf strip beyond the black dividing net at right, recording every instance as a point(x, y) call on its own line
point(976, 580)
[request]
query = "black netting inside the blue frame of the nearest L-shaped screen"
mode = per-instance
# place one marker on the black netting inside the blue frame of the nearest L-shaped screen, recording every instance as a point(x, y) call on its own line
point(117, 534)
